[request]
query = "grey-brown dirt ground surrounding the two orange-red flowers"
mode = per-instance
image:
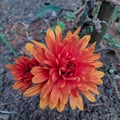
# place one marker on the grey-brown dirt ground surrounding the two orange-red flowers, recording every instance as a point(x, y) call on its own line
point(18, 22)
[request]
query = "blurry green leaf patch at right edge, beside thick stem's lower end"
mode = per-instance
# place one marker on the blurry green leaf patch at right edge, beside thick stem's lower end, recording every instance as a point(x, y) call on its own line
point(112, 41)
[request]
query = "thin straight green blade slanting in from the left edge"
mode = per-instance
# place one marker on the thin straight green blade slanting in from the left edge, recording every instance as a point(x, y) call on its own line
point(4, 40)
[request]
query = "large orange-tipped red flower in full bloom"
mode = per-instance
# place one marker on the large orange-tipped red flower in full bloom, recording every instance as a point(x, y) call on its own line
point(67, 70)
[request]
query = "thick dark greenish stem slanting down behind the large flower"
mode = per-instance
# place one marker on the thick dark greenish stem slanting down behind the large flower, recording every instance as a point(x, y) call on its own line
point(105, 14)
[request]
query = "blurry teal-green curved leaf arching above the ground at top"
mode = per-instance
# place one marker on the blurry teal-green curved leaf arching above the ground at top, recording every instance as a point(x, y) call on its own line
point(48, 9)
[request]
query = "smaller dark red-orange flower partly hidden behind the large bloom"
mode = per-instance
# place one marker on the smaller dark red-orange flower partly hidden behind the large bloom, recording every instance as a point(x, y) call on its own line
point(21, 70)
